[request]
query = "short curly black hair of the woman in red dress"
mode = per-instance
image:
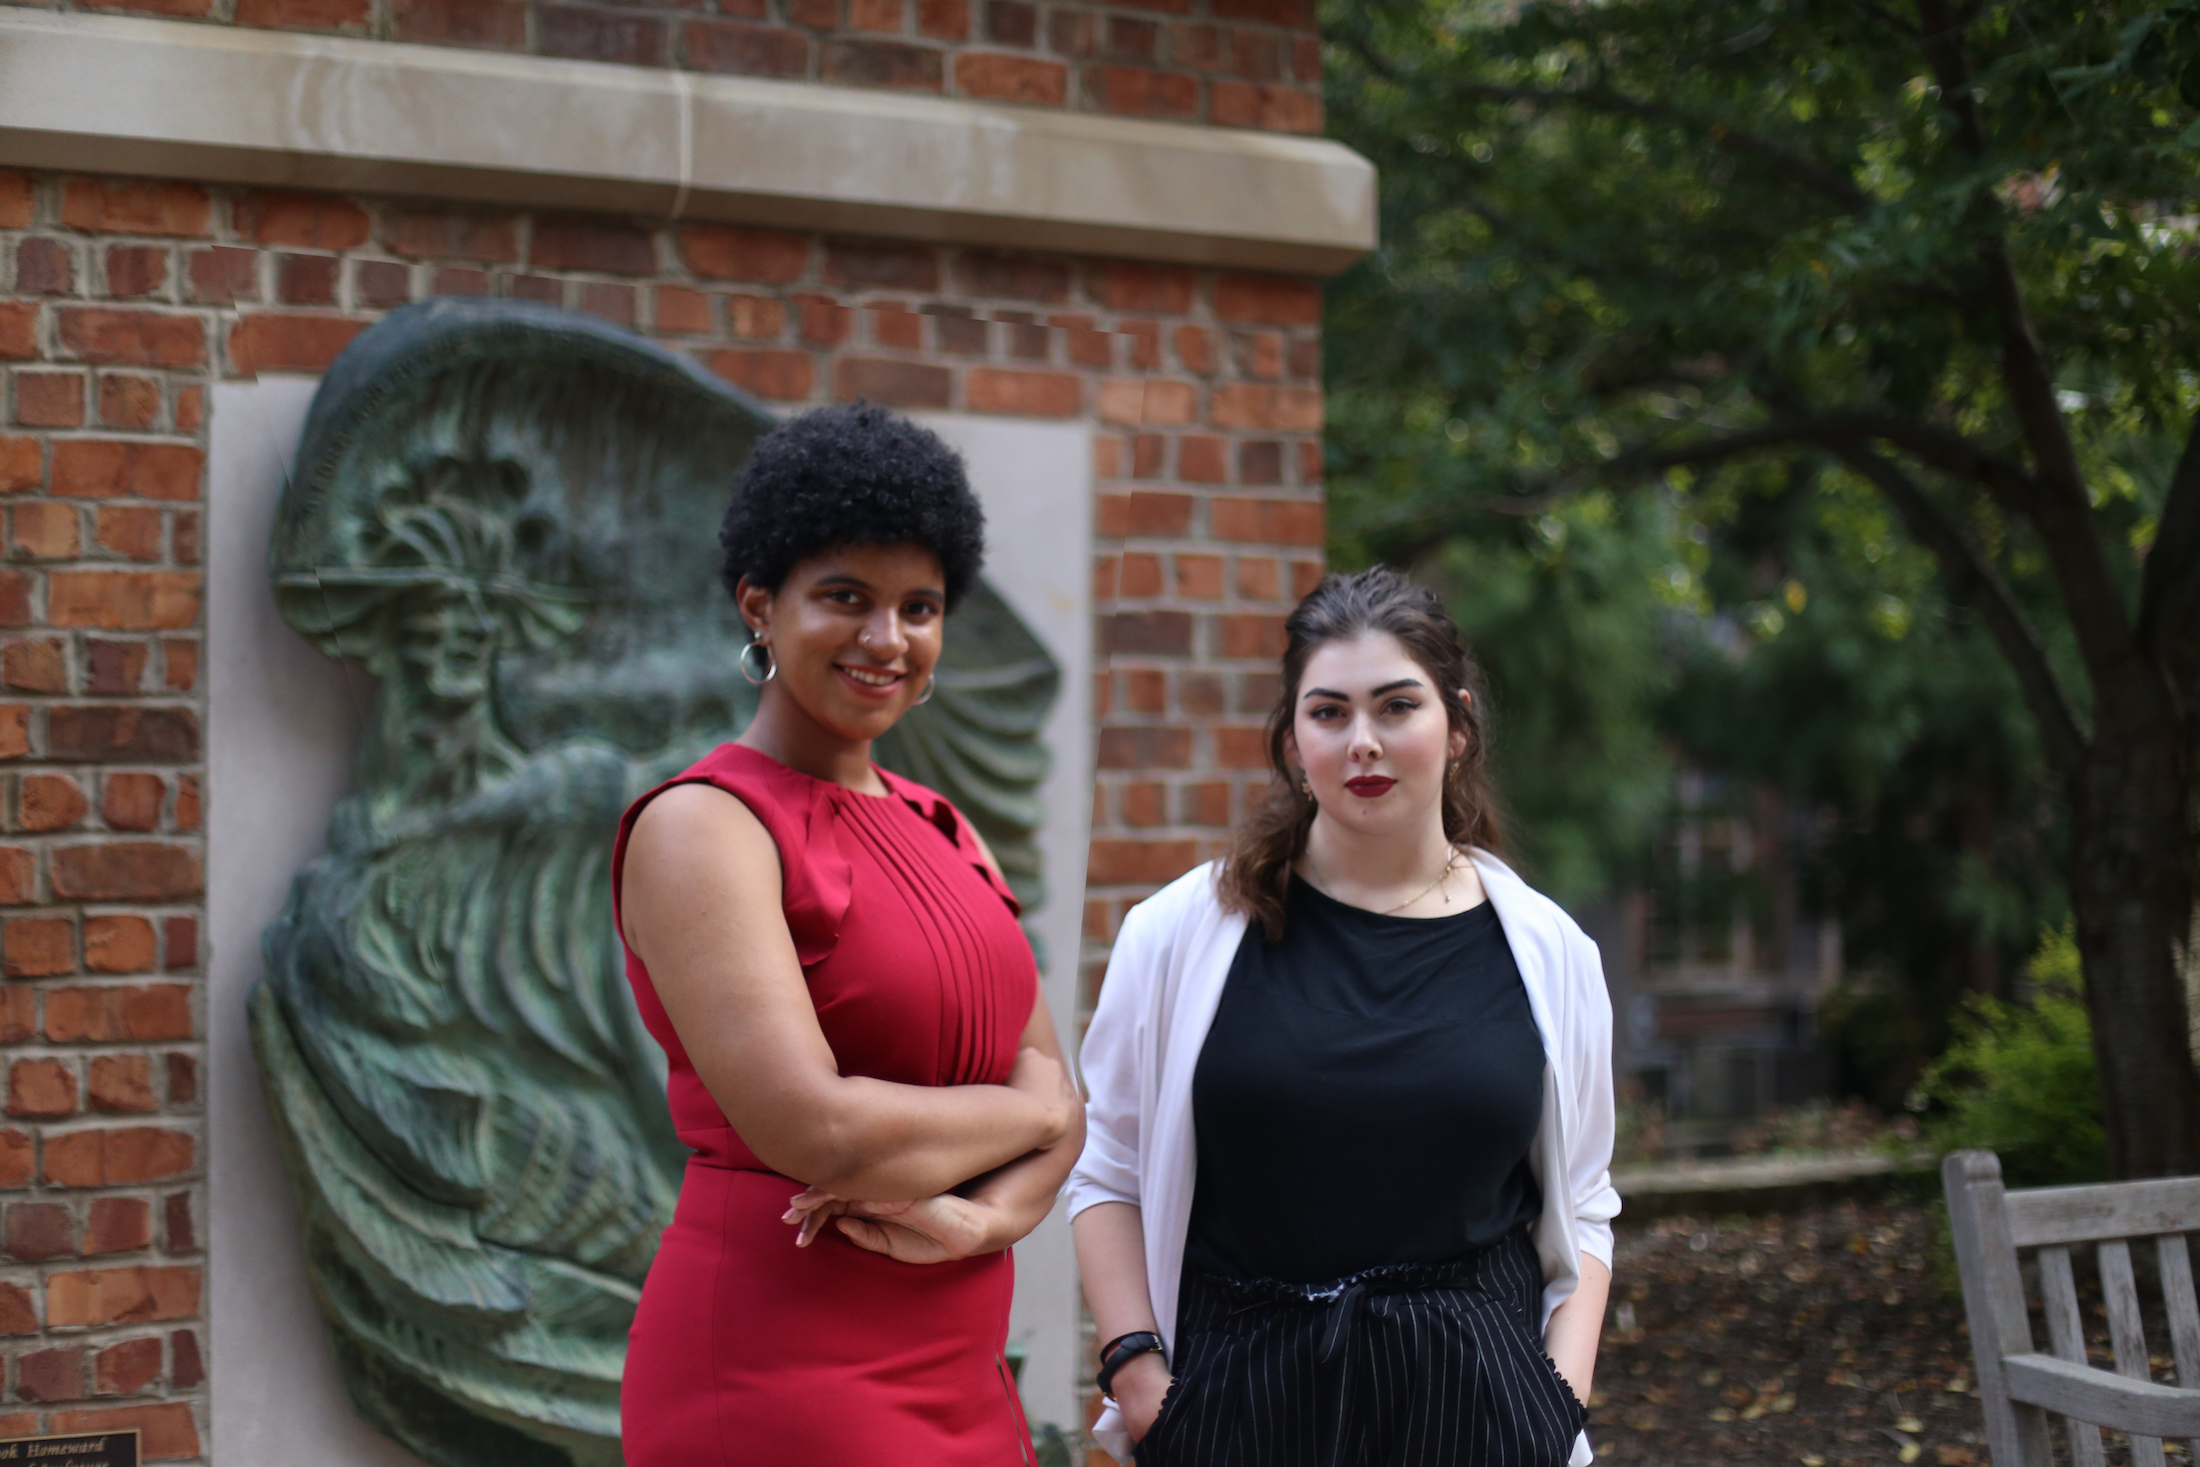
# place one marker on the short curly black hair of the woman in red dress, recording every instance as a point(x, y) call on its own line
point(850, 476)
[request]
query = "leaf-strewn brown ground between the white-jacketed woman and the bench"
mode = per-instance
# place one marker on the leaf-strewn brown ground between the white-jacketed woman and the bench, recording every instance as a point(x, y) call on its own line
point(1823, 1338)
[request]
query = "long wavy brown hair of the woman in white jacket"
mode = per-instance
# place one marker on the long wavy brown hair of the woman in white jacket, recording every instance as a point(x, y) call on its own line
point(1268, 841)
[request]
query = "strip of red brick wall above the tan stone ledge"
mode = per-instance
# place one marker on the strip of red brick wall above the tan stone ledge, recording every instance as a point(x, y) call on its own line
point(1229, 63)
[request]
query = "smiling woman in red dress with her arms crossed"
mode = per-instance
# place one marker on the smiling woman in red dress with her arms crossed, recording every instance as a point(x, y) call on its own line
point(859, 1055)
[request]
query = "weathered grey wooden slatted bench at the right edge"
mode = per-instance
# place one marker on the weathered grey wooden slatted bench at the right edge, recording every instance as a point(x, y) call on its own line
point(2016, 1385)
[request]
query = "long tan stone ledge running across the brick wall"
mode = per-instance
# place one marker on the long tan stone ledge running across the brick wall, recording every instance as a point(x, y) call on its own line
point(225, 104)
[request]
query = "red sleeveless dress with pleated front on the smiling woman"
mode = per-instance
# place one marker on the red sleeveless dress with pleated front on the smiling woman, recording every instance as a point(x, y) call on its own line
point(749, 1352)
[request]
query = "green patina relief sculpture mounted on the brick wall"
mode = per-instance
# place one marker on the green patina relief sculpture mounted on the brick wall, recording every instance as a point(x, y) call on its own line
point(509, 516)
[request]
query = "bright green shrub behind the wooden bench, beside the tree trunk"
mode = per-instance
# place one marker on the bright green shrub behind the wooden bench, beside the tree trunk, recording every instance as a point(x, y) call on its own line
point(2021, 1081)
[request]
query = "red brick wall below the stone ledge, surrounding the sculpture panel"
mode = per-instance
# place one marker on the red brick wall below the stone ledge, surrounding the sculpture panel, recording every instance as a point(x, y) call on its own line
point(120, 300)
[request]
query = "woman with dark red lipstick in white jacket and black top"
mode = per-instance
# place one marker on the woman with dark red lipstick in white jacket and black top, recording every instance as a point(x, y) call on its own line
point(1345, 1195)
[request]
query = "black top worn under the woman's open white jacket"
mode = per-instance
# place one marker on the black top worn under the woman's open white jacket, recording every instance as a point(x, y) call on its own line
point(1369, 1094)
